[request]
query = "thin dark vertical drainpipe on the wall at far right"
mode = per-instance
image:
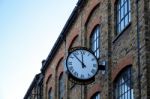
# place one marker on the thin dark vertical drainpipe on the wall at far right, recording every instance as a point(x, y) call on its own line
point(138, 50)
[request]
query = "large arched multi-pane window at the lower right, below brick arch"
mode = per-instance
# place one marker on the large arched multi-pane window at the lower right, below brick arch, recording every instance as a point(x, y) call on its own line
point(123, 85)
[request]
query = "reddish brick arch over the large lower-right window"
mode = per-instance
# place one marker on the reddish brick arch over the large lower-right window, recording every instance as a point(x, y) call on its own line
point(122, 64)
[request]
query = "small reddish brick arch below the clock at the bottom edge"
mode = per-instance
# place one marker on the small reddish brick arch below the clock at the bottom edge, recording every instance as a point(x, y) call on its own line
point(95, 88)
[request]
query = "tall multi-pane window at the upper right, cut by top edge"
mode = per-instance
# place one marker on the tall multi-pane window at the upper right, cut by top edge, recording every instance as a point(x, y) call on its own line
point(123, 15)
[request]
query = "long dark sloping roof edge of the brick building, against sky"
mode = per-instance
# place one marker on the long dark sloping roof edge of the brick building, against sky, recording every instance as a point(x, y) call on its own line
point(63, 34)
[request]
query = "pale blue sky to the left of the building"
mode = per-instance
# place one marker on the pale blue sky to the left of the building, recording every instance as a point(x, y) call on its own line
point(28, 31)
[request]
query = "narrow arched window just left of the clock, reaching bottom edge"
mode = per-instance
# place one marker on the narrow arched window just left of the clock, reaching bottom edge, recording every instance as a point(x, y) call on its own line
point(61, 87)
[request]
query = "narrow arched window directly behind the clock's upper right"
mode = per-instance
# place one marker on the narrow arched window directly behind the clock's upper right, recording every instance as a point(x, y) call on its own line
point(95, 41)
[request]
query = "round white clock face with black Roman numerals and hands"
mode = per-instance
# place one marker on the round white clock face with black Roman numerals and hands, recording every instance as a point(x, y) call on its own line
point(82, 64)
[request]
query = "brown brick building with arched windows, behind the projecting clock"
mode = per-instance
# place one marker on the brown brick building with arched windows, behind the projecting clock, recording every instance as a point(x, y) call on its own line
point(118, 32)
